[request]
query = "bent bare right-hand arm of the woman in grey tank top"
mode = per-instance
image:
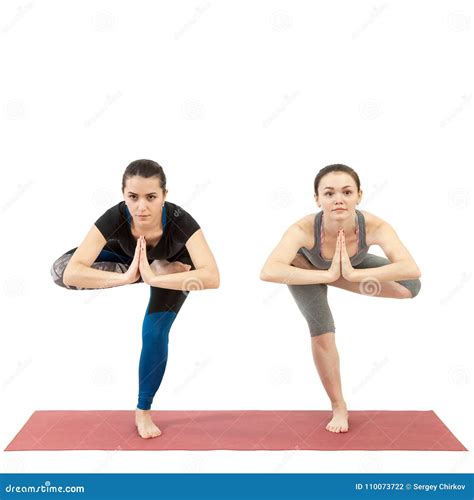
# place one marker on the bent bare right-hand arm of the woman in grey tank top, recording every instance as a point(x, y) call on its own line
point(402, 267)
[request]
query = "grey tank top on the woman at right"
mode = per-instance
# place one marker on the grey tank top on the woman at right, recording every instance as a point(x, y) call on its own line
point(314, 254)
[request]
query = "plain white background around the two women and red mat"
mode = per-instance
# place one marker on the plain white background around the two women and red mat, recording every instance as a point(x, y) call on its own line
point(241, 103)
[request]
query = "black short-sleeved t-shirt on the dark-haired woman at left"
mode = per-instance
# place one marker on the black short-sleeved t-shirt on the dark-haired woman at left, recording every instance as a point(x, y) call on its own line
point(178, 227)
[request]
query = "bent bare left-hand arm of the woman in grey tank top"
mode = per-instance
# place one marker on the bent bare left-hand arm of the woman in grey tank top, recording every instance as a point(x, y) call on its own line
point(277, 268)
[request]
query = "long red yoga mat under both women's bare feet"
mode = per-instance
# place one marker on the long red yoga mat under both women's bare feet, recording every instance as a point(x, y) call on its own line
point(235, 430)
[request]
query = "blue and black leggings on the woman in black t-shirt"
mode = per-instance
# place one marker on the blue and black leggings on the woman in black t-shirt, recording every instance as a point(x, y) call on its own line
point(162, 309)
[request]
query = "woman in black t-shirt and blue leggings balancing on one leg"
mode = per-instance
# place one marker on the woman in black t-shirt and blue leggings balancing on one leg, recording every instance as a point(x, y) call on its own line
point(144, 239)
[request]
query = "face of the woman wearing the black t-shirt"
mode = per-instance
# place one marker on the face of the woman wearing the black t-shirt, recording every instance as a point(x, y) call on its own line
point(144, 199)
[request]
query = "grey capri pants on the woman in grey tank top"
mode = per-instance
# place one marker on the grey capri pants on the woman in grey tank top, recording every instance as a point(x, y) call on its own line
point(313, 303)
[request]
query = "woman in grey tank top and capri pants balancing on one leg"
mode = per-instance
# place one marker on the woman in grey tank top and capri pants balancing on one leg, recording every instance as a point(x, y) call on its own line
point(330, 248)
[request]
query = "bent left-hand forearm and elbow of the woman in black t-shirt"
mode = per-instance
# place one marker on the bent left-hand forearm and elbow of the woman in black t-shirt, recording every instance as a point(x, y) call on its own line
point(78, 271)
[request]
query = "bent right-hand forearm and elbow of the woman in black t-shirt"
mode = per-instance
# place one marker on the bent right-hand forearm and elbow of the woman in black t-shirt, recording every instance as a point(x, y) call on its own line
point(206, 274)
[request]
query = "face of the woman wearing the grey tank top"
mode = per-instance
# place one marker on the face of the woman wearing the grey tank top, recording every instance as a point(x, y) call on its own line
point(337, 195)
